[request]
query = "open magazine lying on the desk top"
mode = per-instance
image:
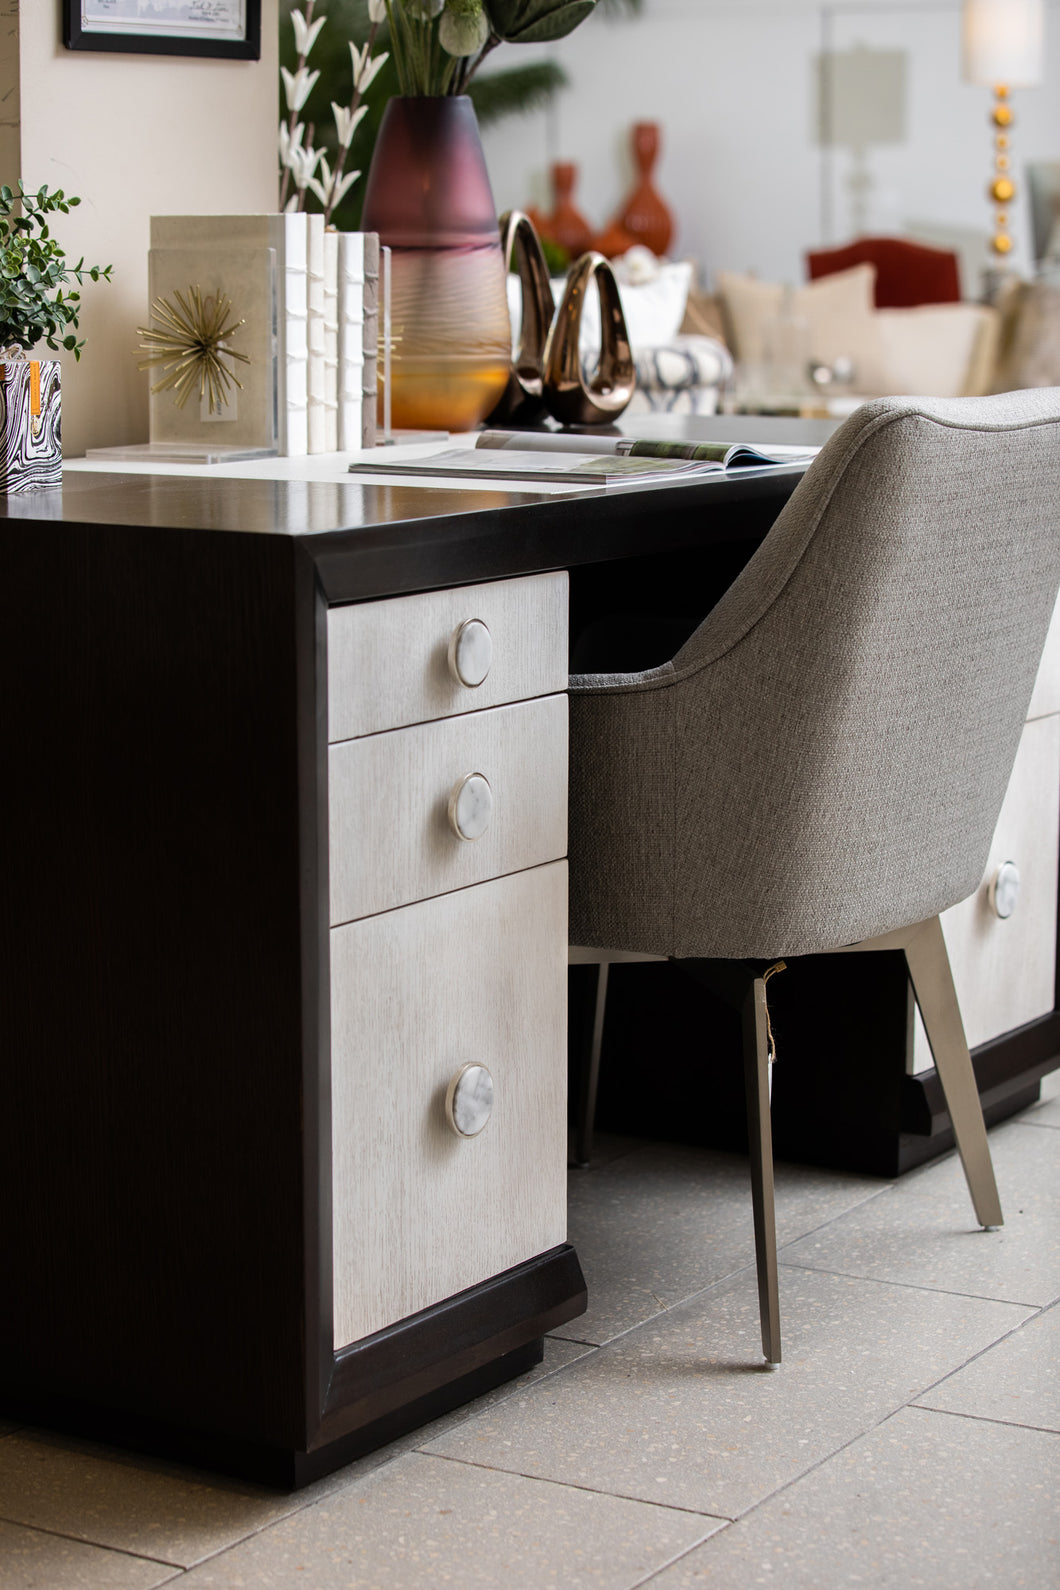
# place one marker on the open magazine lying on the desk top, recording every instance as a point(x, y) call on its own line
point(586, 460)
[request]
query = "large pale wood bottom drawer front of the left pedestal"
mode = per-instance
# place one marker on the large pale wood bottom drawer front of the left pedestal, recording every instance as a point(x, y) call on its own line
point(419, 1212)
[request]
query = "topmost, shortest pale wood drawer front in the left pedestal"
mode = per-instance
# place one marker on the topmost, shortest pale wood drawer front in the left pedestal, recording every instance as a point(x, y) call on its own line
point(412, 659)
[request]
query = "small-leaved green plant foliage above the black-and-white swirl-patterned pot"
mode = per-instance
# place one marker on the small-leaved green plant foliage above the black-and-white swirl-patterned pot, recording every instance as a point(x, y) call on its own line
point(34, 273)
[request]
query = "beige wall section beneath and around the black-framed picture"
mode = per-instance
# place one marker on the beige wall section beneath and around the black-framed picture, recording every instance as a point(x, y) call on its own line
point(136, 136)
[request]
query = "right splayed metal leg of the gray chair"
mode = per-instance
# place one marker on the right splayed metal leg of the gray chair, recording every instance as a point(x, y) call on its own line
point(934, 985)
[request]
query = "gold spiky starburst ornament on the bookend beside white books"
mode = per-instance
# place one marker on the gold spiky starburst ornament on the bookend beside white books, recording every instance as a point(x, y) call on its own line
point(191, 344)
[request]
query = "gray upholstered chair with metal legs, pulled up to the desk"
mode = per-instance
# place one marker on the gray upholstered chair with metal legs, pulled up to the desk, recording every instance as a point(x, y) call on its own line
point(822, 766)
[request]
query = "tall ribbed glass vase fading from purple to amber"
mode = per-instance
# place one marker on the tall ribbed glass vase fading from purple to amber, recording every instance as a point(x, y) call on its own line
point(430, 200)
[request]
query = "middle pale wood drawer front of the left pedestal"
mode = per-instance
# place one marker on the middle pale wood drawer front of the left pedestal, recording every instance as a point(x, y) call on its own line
point(398, 801)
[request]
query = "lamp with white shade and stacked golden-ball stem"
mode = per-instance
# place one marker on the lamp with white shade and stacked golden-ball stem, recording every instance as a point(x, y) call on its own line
point(1004, 50)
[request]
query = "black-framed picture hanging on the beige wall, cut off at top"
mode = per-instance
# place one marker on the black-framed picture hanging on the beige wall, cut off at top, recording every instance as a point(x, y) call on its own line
point(166, 28)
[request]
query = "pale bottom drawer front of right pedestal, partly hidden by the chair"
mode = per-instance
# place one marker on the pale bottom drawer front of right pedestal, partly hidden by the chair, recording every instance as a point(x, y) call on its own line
point(1005, 969)
